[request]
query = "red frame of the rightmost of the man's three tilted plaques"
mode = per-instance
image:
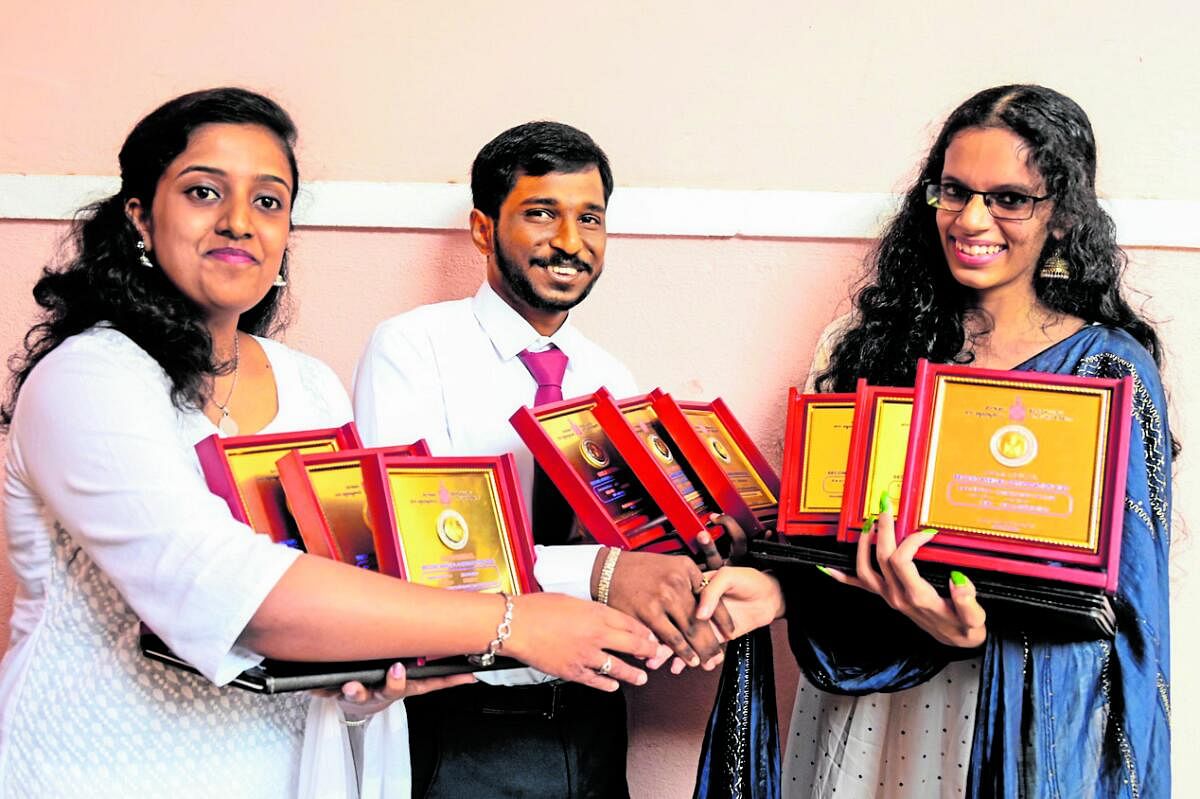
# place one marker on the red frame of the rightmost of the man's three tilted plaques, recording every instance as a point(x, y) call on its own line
point(710, 472)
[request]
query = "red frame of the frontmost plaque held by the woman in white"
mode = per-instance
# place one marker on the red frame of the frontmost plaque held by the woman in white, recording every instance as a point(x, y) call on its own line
point(508, 489)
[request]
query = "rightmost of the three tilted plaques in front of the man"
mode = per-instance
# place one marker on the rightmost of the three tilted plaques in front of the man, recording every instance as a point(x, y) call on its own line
point(729, 465)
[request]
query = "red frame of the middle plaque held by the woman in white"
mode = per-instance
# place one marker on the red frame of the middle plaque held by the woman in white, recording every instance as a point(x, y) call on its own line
point(304, 503)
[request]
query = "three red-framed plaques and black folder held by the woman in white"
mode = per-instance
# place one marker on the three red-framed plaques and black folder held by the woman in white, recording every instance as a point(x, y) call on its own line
point(457, 524)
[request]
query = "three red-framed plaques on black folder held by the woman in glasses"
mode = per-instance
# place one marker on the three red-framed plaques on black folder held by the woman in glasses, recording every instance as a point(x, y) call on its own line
point(1023, 476)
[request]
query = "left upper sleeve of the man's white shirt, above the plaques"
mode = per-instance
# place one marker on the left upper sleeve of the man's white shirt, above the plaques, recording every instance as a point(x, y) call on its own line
point(398, 392)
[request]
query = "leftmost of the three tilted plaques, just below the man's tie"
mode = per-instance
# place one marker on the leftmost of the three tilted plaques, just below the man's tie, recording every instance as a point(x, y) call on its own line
point(577, 454)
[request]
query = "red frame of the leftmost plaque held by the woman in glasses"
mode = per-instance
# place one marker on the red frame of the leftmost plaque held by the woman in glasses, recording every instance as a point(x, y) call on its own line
point(793, 521)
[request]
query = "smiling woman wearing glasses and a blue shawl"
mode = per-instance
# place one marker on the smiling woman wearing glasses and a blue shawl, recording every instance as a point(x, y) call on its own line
point(1000, 257)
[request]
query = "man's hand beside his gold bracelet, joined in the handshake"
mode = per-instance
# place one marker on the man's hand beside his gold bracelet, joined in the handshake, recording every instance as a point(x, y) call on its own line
point(661, 592)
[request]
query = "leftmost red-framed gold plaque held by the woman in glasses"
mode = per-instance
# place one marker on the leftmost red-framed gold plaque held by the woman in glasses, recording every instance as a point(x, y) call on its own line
point(817, 448)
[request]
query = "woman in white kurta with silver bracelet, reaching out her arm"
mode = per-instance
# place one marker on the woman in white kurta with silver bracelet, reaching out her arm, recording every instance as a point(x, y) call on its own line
point(146, 346)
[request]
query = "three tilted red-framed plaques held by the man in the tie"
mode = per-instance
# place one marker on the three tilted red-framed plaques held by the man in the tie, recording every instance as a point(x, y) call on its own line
point(651, 473)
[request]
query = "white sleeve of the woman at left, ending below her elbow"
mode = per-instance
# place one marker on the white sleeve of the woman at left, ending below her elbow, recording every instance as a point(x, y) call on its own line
point(99, 443)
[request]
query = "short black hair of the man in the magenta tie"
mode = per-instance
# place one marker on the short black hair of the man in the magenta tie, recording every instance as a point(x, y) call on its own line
point(532, 149)
